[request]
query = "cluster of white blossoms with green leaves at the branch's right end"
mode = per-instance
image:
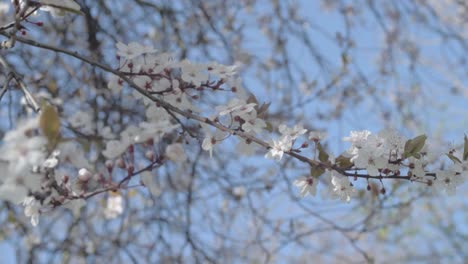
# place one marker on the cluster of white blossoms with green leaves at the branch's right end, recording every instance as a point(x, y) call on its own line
point(386, 155)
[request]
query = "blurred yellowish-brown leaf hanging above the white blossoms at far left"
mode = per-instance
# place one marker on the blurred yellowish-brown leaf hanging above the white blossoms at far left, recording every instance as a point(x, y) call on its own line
point(49, 122)
